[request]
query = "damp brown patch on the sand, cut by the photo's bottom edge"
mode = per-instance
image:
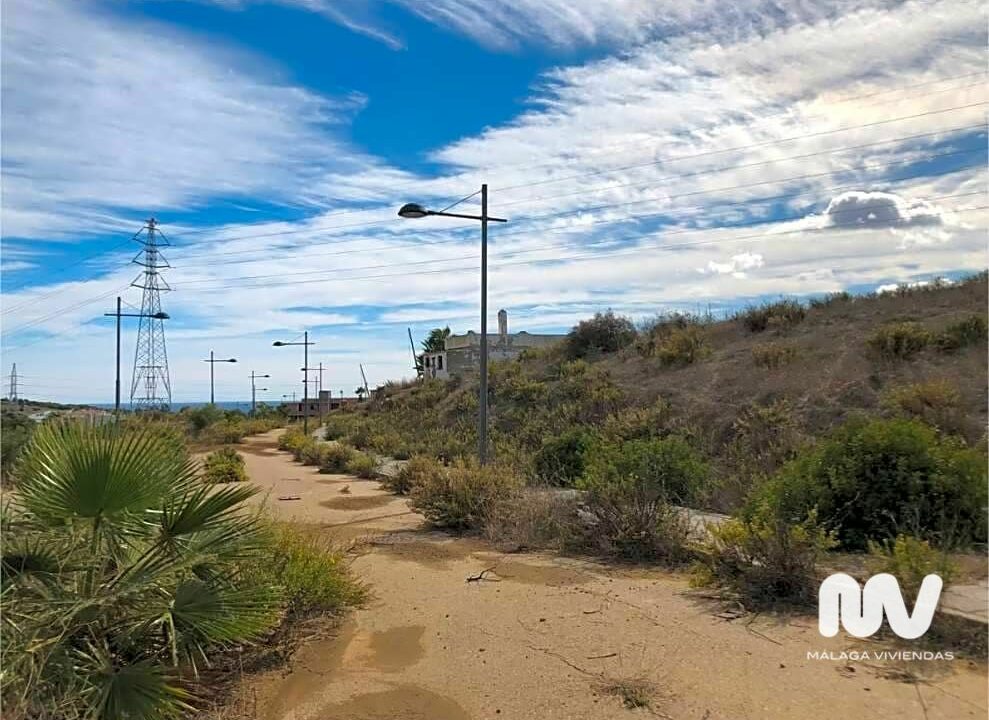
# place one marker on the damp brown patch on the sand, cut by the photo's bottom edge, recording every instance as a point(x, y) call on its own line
point(408, 702)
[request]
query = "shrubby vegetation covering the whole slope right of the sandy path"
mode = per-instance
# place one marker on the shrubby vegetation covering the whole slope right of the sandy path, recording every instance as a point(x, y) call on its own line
point(613, 440)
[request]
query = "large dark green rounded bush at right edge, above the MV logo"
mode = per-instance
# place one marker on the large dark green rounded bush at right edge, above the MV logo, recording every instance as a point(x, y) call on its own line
point(873, 479)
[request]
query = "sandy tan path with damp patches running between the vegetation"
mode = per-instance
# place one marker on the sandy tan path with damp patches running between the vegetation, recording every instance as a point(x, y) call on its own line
point(546, 636)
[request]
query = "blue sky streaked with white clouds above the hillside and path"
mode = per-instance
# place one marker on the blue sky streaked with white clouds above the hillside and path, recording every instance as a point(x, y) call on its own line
point(649, 155)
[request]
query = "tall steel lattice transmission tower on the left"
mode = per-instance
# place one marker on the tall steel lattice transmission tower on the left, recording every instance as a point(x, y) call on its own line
point(150, 387)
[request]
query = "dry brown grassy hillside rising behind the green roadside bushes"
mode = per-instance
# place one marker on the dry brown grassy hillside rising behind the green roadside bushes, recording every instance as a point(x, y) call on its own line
point(748, 391)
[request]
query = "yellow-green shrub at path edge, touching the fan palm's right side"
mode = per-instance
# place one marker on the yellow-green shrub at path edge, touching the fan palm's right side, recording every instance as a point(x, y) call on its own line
point(309, 573)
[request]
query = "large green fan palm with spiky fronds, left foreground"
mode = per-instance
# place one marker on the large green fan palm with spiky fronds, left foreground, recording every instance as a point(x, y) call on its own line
point(121, 575)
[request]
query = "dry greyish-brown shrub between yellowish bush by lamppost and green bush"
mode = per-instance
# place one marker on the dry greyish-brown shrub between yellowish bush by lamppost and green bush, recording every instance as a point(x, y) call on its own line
point(535, 519)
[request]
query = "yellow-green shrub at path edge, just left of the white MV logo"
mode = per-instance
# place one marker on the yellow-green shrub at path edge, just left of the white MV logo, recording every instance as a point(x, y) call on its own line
point(765, 560)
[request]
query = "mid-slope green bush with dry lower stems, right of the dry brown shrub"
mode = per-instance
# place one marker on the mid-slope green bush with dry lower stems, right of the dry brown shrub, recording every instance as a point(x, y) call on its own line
point(631, 489)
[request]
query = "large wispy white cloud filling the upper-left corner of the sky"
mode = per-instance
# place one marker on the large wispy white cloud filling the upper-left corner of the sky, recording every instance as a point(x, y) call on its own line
point(107, 116)
